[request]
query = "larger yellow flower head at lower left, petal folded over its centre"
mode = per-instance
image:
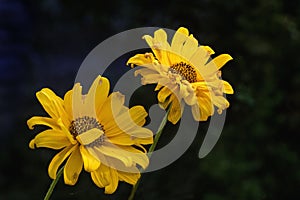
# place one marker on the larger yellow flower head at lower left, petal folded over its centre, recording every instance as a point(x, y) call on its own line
point(95, 132)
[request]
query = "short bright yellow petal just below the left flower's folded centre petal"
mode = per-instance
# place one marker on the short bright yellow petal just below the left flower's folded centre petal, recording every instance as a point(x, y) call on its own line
point(90, 162)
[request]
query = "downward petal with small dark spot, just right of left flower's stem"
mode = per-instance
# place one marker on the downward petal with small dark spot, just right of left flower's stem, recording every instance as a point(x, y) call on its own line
point(73, 168)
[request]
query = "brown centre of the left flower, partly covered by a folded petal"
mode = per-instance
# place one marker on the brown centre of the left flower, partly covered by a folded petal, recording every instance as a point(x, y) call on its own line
point(83, 124)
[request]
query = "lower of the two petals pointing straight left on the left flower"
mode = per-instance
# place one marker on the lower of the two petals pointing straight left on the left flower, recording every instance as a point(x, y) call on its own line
point(52, 139)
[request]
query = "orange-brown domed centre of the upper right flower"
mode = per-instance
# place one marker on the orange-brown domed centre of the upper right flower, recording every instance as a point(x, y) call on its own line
point(185, 70)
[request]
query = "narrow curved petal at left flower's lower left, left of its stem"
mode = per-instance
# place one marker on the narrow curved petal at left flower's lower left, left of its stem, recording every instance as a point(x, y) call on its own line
point(58, 160)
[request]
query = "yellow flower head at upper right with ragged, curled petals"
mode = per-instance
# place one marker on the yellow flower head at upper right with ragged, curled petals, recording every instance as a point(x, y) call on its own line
point(184, 73)
